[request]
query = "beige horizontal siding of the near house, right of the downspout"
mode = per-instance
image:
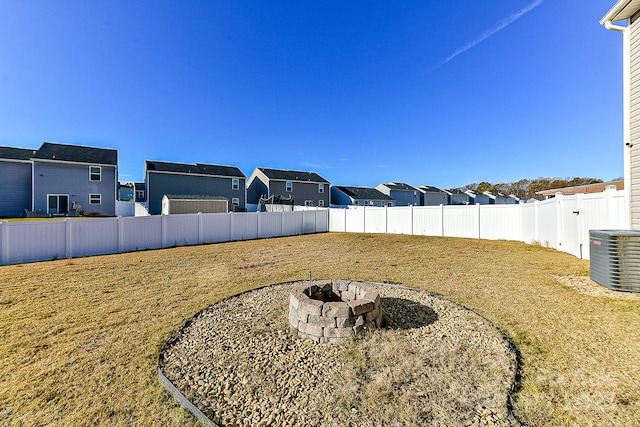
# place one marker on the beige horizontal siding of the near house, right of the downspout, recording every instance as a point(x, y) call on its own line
point(634, 202)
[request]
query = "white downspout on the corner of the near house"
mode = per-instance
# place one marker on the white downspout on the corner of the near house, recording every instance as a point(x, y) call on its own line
point(626, 113)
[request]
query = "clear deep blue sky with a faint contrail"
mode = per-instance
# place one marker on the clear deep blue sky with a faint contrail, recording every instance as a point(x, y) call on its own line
point(423, 92)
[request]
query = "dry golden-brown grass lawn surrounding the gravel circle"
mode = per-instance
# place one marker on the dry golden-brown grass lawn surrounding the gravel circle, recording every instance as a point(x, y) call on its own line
point(80, 338)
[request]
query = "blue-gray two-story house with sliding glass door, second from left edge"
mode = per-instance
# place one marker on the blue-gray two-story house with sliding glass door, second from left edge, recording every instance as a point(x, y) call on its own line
point(65, 175)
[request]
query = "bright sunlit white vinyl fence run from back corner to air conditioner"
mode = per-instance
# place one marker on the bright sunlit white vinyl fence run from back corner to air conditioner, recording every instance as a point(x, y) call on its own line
point(562, 222)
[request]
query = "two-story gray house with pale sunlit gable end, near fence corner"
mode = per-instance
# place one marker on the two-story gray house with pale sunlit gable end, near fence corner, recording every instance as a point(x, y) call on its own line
point(303, 188)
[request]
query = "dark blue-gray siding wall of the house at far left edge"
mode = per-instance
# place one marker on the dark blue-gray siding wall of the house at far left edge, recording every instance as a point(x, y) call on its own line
point(15, 188)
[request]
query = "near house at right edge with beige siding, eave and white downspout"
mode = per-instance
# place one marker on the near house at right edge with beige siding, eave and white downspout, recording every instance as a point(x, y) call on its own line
point(626, 12)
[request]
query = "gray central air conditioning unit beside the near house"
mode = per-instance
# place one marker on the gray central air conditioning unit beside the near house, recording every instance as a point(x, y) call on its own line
point(615, 259)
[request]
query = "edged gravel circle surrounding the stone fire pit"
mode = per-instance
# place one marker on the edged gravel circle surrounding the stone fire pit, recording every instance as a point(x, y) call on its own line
point(437, 363)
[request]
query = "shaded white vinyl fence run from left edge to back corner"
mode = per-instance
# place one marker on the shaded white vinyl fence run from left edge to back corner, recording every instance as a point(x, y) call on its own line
point(48, 240)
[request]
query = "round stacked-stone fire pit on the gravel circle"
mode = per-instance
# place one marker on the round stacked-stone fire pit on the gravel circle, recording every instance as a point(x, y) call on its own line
point(328, 311)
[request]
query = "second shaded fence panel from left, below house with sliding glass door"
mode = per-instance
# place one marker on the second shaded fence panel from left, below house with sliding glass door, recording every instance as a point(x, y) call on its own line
point(91, 237)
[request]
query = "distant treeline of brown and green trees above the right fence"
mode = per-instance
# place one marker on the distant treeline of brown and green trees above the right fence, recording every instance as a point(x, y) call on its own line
point(527, 188)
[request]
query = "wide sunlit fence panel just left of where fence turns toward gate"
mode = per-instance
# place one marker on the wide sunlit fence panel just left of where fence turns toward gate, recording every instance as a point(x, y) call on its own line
point(500, 222)
